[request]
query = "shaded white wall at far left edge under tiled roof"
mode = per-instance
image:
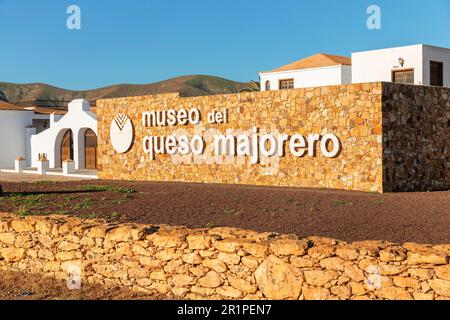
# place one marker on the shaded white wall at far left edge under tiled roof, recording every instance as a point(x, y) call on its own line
point(13, 136)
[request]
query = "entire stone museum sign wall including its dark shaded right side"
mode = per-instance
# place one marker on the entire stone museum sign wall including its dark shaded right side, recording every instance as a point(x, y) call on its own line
point(390, 138)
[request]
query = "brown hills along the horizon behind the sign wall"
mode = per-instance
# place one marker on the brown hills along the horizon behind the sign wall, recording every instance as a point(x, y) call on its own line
point(187, 86)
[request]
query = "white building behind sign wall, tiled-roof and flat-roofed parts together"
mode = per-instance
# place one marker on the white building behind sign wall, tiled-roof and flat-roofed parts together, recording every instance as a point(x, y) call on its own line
point(417, 64)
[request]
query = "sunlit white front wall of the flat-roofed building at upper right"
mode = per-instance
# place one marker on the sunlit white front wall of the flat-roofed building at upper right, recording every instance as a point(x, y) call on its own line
point(377, 65)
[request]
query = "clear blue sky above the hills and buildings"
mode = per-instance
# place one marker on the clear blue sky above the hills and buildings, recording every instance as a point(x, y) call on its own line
point(142, 41)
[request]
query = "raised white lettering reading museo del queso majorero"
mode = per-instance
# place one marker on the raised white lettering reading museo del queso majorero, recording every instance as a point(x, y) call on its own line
point(255, 143)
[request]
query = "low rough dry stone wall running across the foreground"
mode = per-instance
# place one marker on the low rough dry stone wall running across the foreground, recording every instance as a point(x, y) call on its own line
point(222, 263)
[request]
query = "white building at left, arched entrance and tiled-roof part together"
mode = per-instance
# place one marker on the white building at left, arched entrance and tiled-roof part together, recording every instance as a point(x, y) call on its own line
point(33, 133)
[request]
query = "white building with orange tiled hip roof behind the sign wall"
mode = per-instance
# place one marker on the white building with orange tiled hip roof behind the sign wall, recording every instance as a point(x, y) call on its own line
point(315, 71)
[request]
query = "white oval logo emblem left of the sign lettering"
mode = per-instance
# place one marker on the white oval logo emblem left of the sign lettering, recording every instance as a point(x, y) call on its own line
point(121, 133)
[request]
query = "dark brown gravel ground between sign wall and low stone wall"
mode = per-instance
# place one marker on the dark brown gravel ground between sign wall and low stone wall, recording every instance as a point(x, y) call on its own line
point(349, 216)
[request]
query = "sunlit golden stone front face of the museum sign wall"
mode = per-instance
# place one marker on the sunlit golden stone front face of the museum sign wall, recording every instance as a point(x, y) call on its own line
point(352, 113)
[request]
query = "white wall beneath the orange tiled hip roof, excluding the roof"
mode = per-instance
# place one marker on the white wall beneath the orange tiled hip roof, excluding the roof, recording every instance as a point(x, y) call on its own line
point(306, 78)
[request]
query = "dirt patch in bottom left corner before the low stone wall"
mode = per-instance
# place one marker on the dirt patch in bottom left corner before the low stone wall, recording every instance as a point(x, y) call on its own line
point(20, 286)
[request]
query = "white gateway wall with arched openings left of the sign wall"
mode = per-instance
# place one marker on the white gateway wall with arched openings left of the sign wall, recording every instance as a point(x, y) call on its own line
point(77, 119)
